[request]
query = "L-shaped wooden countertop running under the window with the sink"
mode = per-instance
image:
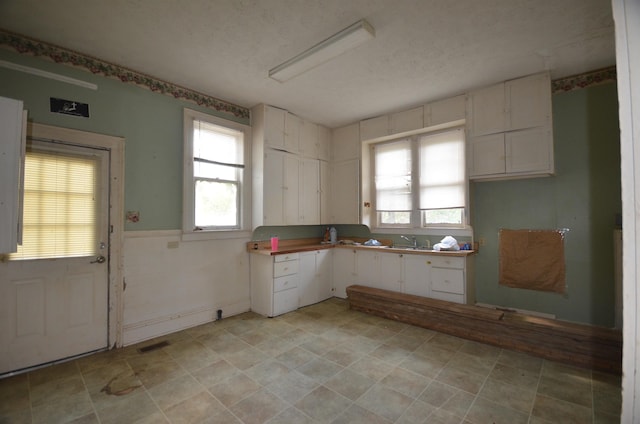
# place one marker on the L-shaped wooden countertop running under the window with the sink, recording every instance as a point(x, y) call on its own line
point(309, 245)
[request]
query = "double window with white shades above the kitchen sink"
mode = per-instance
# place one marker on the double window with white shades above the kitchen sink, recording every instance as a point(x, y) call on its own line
point(420, 181)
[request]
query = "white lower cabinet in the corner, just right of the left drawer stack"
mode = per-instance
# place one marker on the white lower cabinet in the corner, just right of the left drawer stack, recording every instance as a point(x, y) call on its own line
point(315, 277)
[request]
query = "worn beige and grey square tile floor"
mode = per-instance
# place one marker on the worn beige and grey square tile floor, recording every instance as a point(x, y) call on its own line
point(320, 364)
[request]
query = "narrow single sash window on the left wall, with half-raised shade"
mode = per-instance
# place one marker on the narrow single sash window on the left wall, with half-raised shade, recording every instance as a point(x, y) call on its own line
point(214, 173)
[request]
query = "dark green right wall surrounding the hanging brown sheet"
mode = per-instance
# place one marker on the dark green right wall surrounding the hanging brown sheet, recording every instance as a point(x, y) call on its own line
point(584, 196)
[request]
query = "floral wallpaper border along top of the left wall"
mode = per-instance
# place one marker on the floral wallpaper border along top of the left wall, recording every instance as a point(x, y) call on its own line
point(26, 45)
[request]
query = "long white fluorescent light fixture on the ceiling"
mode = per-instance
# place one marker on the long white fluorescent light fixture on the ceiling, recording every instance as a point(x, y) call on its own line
point(333, 46)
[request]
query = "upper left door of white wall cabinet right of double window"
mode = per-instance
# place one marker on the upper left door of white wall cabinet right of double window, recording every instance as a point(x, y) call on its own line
point(487, 110)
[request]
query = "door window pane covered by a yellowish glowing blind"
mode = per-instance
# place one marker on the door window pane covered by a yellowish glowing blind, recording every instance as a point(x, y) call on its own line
point(60, 205)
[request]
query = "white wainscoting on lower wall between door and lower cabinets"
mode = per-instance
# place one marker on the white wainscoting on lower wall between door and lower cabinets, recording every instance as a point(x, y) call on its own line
point(173, 284)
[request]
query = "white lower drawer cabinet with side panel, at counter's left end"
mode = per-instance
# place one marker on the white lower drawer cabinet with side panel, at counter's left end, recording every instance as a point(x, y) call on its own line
point(274, 284)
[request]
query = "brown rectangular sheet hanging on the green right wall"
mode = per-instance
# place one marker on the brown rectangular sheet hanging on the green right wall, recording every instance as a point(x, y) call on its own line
point(532, 259)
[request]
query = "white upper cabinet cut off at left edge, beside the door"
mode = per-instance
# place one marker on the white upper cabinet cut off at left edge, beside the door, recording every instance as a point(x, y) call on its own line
point(12, 145)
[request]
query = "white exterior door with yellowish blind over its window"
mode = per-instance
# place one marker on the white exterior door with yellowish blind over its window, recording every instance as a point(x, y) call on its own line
point(54, 304)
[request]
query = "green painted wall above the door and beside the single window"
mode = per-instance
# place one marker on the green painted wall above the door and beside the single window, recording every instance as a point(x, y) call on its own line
point(151, 124)
